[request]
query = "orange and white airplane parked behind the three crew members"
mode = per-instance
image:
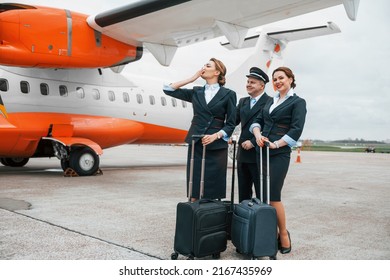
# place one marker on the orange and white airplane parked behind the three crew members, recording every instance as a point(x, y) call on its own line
point(62, 92)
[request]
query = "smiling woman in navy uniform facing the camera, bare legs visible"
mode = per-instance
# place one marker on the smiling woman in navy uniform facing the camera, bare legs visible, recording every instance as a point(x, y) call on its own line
point(283, 120)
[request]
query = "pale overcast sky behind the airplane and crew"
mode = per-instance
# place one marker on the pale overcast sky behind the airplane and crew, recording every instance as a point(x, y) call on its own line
point(343, 76)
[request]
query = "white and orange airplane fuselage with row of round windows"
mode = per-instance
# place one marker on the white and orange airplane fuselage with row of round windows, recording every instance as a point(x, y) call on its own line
point(109, 109)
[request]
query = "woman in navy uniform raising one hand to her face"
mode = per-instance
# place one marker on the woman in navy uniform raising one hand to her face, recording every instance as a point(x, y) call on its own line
point(214, 108)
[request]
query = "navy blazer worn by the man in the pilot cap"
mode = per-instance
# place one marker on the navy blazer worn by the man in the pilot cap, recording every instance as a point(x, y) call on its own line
point(245, 115)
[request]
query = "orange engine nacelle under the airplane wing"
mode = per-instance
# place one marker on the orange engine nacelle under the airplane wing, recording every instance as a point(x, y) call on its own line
point(32, 36)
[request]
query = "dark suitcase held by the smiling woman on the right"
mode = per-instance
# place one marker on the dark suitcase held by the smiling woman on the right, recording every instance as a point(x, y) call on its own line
point(254, 223)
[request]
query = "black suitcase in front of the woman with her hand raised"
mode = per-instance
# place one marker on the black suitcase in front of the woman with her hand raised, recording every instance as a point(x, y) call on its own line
point(200, 225)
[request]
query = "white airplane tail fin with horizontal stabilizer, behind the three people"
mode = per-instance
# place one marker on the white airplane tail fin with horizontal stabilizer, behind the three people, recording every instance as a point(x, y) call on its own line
point(268, 46)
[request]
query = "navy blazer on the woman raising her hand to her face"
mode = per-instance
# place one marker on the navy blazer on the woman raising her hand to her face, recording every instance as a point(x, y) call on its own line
point(210, 117)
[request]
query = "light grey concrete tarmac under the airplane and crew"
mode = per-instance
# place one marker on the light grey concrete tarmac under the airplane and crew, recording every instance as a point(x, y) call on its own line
point(337, 207)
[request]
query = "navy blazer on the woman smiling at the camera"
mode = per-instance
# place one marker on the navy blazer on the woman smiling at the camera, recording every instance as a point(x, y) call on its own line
point(287, 118)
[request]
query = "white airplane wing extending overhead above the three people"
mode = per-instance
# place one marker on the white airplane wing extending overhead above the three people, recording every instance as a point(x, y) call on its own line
point(164, 25)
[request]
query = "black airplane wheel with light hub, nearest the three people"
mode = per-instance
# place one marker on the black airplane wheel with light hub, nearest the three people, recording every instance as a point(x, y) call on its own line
point(84, 161)
